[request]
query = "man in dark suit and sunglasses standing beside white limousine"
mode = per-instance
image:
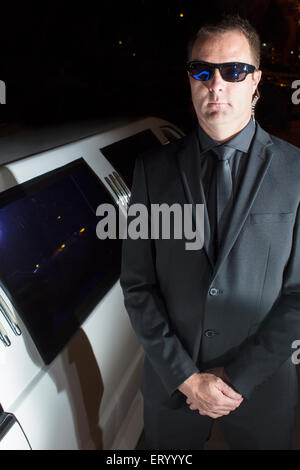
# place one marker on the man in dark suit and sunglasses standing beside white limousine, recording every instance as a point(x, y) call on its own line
point(217, 324)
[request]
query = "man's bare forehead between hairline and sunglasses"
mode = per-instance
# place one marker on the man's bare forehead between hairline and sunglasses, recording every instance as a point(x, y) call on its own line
point(231, 46)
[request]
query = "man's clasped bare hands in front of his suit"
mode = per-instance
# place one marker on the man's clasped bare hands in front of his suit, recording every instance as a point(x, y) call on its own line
point(210, 395)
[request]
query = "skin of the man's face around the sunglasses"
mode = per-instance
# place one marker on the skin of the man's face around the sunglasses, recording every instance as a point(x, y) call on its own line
point(218, 103)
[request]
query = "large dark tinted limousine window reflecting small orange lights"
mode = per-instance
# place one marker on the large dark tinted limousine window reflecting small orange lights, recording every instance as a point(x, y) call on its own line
point(53, 267)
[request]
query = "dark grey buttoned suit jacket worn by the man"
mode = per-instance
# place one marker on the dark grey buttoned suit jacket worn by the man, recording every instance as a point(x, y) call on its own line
point(249, 320)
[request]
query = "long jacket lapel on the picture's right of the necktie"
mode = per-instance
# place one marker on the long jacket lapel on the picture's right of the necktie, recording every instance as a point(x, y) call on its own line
point(260, 157)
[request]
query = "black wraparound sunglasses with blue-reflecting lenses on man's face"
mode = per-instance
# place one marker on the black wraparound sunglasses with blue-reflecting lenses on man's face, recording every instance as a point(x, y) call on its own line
point(230, 71)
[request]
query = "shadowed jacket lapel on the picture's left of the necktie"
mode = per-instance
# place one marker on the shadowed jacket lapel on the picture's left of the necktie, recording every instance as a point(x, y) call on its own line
point(189, 168)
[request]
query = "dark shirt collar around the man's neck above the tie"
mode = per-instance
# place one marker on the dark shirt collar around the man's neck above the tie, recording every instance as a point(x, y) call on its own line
point(241, 141)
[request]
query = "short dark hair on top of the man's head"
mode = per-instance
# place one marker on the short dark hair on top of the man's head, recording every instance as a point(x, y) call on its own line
point(229, 23)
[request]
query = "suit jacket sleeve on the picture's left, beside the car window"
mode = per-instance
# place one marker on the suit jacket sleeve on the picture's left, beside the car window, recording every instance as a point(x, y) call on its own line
point(145, 303)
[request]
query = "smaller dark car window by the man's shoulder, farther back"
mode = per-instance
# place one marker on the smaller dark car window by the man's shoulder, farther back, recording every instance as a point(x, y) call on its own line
point(122, 154)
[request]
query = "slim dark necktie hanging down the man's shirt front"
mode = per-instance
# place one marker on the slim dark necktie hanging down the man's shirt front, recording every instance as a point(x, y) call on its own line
point(223, 187)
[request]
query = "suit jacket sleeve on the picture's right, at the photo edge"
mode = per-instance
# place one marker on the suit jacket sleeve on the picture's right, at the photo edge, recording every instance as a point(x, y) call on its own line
point(263, 353)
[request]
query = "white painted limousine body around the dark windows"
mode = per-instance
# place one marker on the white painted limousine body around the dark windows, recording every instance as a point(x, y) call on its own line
point(88, 397)
